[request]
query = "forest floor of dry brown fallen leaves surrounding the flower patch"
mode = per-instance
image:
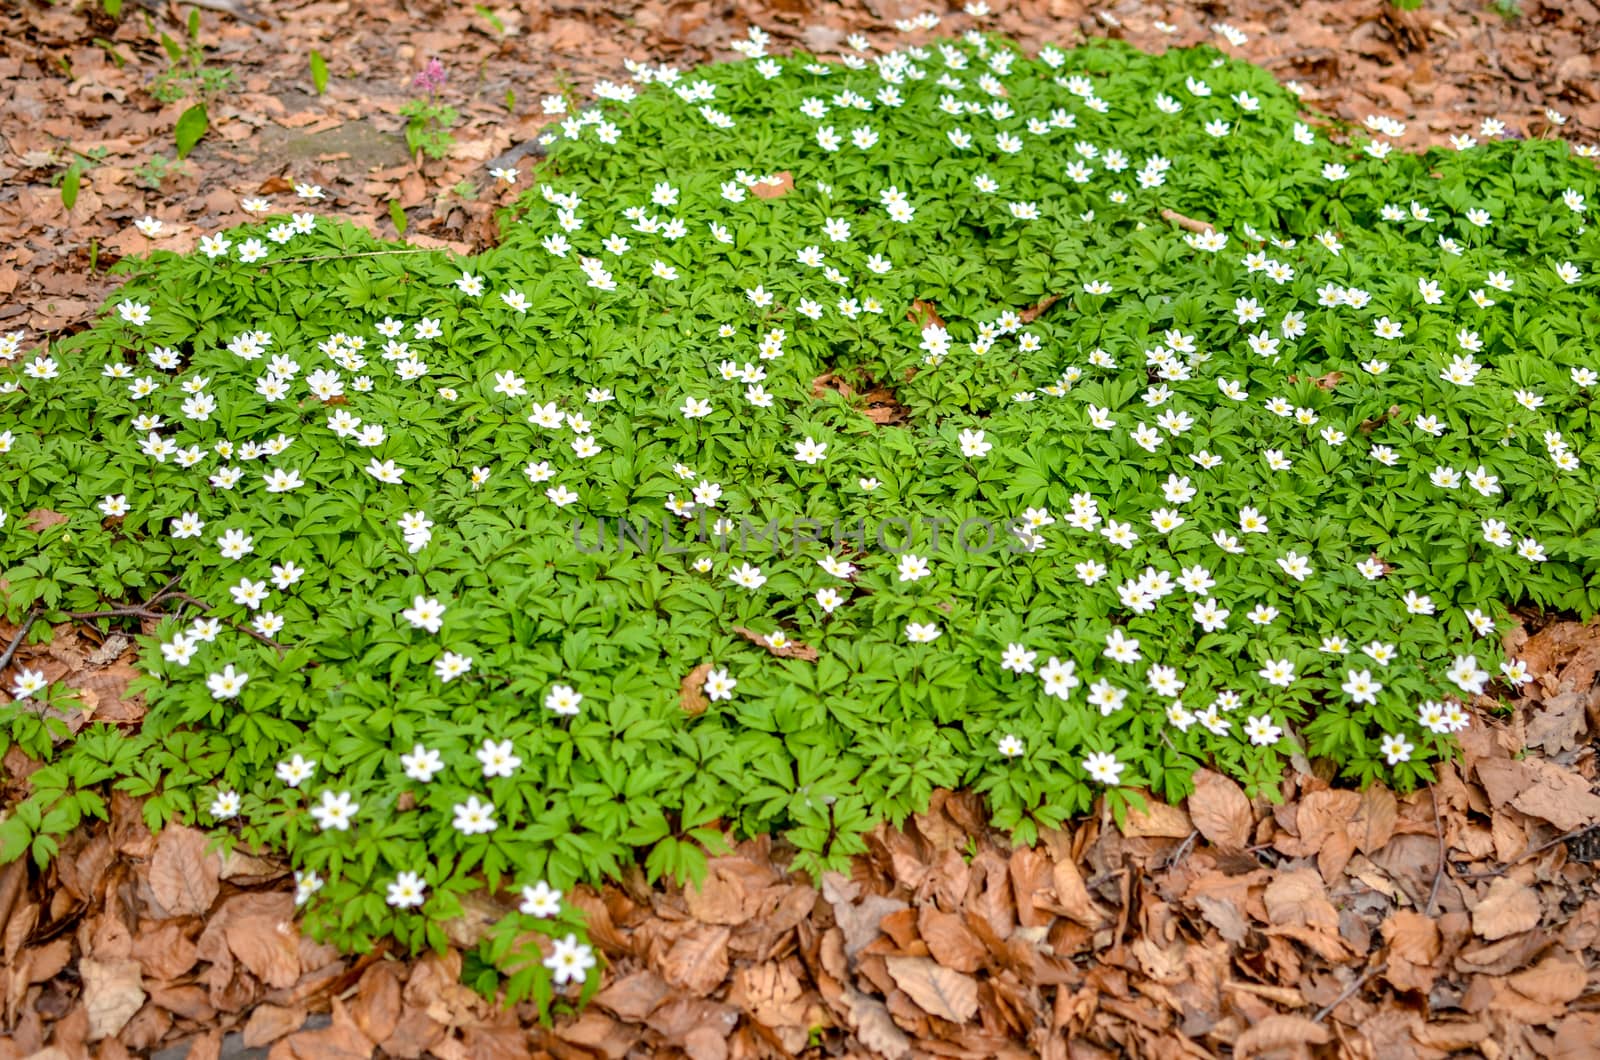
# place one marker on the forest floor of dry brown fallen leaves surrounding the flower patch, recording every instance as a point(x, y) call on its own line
point(1460, 920)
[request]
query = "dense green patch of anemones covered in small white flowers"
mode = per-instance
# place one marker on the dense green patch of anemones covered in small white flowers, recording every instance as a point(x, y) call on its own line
point(1215, 441)
